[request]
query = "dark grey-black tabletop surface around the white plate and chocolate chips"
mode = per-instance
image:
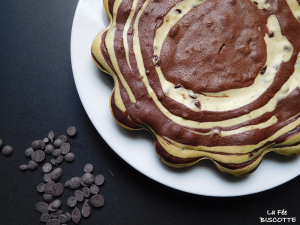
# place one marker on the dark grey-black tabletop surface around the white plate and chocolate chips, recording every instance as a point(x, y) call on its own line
point(38, 94)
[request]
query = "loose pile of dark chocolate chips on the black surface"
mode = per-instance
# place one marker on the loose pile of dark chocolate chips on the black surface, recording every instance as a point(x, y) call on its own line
point(60, 150)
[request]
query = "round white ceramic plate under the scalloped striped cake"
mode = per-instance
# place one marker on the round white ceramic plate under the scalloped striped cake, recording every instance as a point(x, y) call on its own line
point(136, 147)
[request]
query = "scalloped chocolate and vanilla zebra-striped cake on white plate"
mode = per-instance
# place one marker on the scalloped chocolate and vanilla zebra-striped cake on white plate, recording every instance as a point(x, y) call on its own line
point(210, 79)
